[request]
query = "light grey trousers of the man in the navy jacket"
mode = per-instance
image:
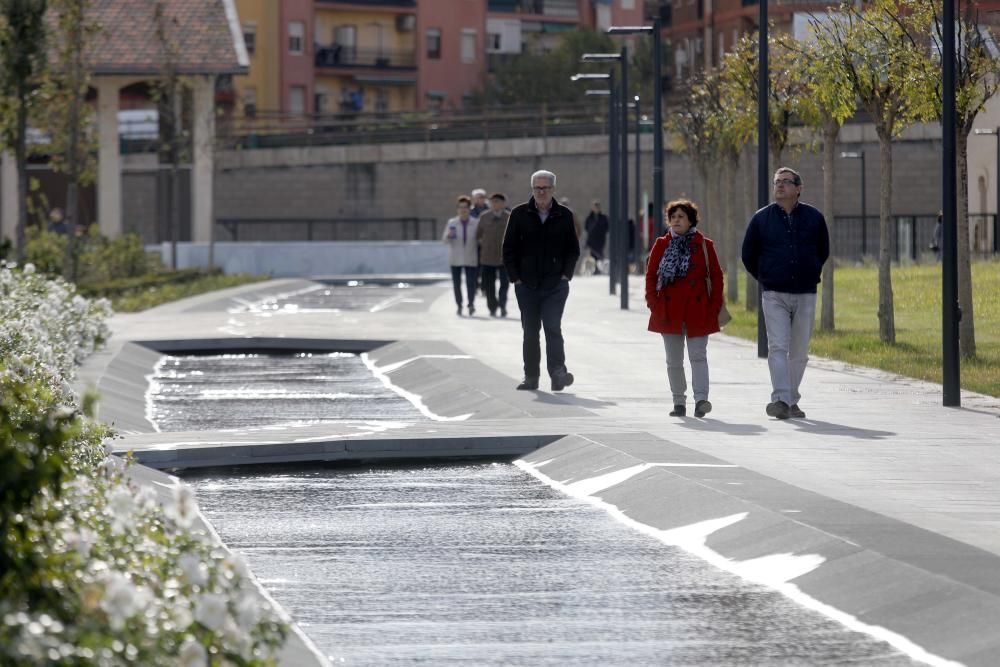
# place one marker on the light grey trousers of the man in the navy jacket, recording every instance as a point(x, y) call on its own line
point(789, 320)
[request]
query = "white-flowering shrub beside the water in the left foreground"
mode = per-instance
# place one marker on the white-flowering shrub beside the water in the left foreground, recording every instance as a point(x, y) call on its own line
point(93, 568)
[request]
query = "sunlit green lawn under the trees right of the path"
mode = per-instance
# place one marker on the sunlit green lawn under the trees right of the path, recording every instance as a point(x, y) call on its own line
point(918, 349)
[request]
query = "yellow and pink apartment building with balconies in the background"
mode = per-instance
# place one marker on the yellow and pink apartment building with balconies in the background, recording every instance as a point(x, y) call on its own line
point(343, 56)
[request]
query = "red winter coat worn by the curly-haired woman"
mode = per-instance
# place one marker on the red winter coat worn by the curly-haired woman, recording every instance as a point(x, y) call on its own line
point(685, 301)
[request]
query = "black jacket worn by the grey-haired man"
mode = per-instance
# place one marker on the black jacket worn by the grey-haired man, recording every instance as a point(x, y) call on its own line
point(540, 255)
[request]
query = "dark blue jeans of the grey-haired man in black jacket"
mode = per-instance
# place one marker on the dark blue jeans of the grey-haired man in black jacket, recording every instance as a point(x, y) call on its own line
point(542, 309)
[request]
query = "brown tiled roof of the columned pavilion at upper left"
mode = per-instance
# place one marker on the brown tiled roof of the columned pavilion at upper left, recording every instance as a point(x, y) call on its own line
point(198, 30)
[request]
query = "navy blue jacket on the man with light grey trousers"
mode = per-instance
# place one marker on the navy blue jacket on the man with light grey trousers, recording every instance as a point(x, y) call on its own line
point(785, 252)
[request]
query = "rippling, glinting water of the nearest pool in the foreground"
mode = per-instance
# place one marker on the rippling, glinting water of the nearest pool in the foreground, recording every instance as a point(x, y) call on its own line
point(483, 565)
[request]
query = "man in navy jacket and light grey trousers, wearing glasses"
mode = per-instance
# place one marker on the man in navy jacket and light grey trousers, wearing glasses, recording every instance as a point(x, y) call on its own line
point(785, 246)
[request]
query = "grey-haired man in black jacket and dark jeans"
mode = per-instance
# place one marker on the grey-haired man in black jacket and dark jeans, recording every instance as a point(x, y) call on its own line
point(540, 251)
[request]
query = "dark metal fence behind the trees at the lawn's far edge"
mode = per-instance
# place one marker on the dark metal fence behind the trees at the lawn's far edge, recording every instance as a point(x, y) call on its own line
point(911, 237)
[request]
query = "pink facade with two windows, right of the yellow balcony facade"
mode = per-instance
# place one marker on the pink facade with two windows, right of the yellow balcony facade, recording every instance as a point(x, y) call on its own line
point(448, 73)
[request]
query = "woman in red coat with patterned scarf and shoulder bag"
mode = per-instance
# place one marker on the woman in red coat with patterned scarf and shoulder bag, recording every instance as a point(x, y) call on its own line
point(681, 308)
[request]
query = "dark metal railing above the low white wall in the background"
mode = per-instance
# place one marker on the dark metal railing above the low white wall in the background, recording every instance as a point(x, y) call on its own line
point(326, 229)
